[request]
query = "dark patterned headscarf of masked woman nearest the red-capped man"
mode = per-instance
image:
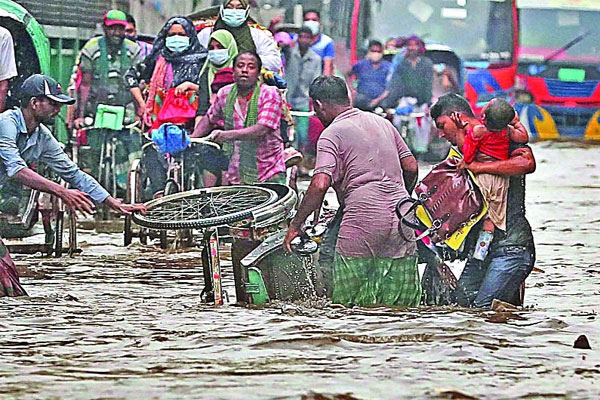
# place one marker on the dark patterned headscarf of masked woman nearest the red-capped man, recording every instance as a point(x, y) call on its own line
point(187, 63)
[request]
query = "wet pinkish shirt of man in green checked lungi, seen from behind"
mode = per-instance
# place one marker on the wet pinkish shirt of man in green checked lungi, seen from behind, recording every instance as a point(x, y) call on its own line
point(361, 152)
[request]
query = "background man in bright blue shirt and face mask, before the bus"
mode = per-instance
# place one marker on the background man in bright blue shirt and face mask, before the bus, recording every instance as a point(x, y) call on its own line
point(371, 74)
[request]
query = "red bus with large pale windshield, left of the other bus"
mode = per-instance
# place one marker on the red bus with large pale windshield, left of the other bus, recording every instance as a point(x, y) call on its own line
point(483, 33)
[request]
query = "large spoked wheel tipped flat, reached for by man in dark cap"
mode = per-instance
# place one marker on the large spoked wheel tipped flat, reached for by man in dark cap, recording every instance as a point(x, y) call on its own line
point(205, 207)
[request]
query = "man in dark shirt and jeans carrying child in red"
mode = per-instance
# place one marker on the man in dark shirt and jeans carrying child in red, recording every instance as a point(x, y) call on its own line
point(511, 253)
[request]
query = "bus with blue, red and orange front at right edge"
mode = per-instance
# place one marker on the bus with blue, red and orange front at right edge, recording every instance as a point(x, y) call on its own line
point(558, 78)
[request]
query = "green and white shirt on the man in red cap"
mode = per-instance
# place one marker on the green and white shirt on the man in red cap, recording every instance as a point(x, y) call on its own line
point(107, 67)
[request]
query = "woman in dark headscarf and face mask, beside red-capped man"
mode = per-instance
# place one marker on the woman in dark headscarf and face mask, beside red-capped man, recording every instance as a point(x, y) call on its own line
point(176, 60)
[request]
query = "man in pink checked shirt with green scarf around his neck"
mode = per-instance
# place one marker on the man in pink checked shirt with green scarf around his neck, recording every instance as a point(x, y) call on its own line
point(251, 111)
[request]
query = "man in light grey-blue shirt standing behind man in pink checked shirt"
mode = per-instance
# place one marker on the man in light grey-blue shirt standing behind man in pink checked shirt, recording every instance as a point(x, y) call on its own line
point(303, 67)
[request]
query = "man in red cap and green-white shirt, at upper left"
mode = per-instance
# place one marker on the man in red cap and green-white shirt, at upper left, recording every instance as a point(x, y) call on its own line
point(103, 63)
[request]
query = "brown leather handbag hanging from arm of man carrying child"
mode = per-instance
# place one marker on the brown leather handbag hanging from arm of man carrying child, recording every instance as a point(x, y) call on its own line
point(450, 198)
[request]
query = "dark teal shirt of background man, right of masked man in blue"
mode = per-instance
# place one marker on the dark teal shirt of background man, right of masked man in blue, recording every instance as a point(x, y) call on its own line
point(409, 81)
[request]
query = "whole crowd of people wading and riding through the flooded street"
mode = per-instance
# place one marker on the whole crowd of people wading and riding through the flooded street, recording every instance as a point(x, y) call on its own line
point(230, 71)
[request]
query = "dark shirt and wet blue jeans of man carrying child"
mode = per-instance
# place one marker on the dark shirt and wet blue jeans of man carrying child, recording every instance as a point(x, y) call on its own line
point(511, 256)
